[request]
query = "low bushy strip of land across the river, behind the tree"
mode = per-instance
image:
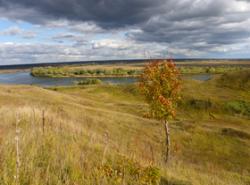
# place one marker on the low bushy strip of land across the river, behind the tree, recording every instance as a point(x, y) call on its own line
point(128, 70)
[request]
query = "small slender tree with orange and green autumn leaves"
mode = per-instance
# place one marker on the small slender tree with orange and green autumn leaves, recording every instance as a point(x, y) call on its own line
point(160, 84)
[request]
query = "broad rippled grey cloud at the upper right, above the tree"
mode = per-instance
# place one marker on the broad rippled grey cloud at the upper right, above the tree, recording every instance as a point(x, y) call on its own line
point(191, 27)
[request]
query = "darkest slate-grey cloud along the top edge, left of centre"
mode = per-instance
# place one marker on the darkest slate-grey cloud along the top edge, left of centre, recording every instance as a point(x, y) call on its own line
point(106, 13)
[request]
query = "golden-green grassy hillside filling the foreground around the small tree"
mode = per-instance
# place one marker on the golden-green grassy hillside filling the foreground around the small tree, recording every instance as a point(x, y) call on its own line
point(99, 134)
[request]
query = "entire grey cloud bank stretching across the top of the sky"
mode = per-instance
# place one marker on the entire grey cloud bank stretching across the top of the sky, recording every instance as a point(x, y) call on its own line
point(190, 26)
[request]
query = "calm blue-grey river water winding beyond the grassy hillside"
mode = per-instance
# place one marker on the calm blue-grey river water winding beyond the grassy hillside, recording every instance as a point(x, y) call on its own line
point(26, 78)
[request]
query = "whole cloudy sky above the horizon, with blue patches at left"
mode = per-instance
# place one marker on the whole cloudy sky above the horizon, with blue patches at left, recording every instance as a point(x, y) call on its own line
point(37, 31)
